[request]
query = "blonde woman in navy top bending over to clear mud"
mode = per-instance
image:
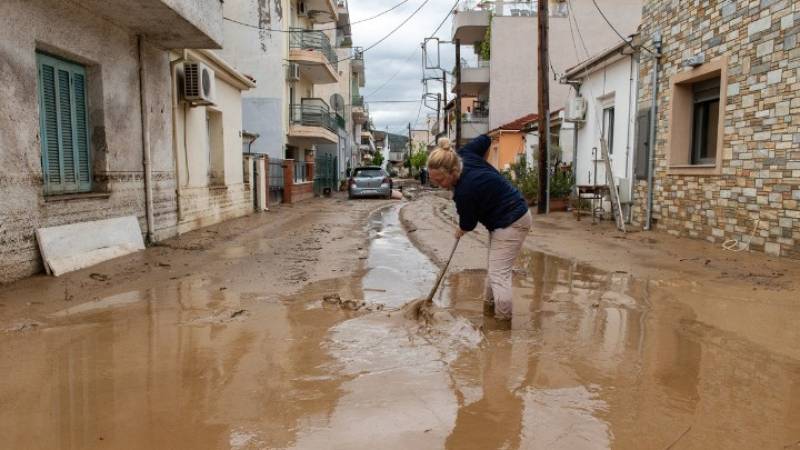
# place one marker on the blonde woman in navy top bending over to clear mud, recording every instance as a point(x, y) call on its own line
point(483, 196)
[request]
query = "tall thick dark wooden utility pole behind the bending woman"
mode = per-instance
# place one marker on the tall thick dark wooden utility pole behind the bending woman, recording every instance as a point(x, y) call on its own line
point(544, 105)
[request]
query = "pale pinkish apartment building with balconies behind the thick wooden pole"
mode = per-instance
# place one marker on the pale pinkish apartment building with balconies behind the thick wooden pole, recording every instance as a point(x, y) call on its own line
point(503, 75)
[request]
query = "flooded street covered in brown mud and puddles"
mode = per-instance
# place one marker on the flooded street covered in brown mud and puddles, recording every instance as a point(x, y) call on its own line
point(225, 342)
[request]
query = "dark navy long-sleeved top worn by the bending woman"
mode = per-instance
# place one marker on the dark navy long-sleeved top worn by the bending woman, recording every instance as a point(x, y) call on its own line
point(482, 194)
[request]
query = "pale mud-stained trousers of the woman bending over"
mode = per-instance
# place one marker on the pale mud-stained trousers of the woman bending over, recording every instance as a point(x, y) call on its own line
point(504, 247)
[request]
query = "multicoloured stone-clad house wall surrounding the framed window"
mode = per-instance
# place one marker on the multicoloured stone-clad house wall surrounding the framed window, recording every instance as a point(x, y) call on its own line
point(760, 178)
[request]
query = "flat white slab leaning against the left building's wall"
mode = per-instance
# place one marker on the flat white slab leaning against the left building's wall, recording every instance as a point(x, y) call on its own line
point(67, 248)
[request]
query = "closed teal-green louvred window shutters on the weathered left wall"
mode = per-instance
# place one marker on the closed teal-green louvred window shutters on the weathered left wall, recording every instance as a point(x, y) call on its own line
point(66, 159)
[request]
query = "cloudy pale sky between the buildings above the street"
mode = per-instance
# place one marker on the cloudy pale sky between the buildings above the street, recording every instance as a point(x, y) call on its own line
point(399, 56)
